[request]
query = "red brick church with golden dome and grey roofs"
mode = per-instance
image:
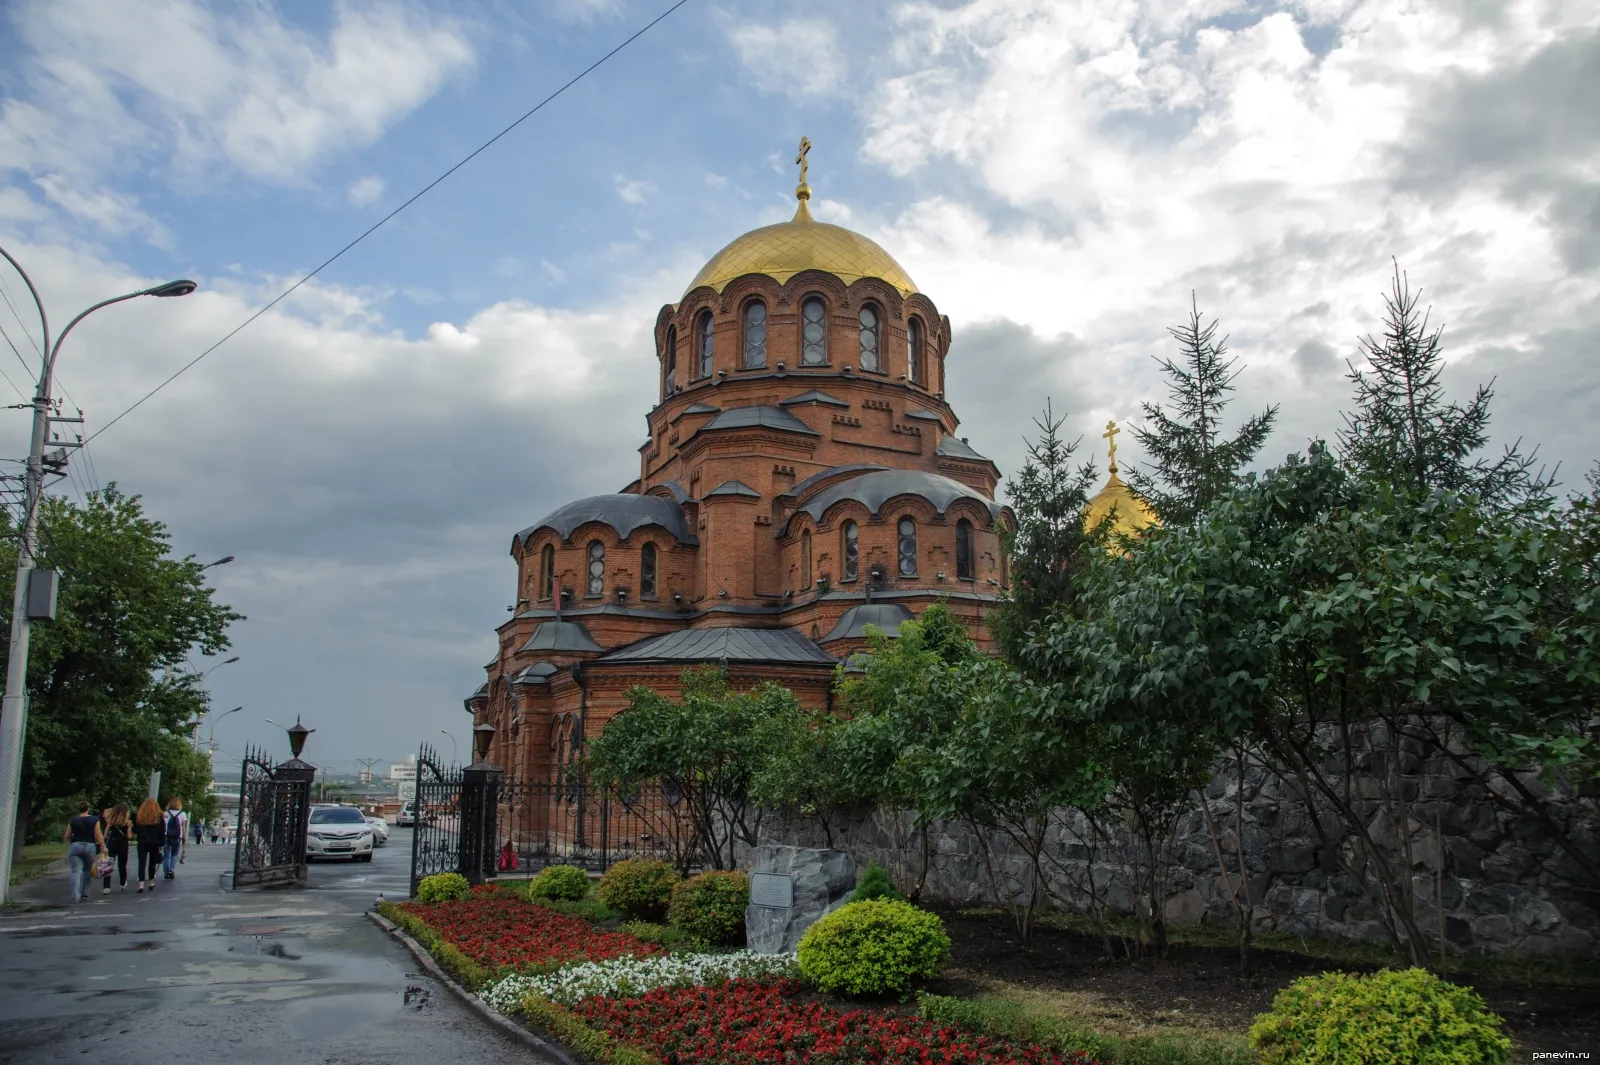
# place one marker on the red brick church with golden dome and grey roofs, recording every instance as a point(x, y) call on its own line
point(804, 479)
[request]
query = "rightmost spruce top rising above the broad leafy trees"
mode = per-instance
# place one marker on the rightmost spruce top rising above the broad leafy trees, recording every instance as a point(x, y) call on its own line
point(1406, 433)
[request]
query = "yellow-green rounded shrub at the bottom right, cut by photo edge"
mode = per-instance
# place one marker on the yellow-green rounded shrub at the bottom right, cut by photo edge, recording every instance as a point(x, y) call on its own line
point(1390, 1018)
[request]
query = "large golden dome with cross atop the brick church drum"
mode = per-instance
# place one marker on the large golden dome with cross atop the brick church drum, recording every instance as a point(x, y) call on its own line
point(782, 252)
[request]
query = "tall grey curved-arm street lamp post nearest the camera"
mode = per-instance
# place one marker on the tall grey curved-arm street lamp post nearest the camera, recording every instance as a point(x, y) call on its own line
point(14, 709)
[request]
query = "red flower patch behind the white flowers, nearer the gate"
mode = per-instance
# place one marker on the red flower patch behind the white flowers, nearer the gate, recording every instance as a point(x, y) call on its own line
point(498, 931)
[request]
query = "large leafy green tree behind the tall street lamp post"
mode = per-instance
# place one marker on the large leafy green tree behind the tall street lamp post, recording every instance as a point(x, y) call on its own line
point(110, 688)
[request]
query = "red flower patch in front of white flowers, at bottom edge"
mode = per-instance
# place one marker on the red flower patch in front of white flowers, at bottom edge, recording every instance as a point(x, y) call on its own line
point(748, 1024)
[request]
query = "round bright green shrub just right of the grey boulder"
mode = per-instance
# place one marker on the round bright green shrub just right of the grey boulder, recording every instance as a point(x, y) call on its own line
point(873, 947)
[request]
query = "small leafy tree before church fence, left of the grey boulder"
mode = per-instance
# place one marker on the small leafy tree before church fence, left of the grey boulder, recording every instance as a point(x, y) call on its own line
point(710, 746)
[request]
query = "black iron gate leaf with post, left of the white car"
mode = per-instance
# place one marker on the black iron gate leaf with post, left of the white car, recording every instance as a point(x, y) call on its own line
point(274, 804)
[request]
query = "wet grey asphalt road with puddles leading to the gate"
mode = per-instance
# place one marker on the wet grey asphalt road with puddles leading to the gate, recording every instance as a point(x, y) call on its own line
point(196, 975)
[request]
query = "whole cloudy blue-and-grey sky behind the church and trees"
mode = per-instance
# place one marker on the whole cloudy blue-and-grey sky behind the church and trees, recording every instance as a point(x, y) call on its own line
point(1057, 177)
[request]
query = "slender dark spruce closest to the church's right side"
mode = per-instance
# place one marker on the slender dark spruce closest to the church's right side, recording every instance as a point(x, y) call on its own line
point(1050, 544)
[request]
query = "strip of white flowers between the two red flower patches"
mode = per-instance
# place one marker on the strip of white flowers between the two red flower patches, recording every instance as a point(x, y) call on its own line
point(630, 978)
